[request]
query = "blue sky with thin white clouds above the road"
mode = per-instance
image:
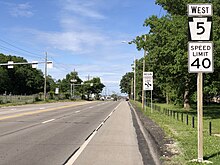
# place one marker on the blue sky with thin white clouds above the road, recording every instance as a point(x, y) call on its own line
point(88, 36)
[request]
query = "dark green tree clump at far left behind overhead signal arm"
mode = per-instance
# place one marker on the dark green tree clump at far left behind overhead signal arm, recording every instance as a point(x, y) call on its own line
point(22, 79)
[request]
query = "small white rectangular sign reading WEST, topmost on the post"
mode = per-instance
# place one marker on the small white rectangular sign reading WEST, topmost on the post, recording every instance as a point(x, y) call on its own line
point(199, 10)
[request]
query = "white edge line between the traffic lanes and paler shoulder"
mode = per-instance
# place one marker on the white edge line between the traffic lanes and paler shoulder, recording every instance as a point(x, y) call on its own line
point(83, 146)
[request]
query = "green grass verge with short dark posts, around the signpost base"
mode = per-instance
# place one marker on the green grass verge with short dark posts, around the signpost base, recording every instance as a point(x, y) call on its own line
point(185, 136)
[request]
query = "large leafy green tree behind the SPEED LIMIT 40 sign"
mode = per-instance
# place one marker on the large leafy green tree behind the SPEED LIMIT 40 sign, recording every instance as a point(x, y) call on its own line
point(167, 46)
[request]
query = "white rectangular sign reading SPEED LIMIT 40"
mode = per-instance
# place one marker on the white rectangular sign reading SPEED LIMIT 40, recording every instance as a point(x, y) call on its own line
point(200, 57)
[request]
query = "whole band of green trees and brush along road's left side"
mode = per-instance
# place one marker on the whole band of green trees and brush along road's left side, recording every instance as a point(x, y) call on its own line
point(24, 84)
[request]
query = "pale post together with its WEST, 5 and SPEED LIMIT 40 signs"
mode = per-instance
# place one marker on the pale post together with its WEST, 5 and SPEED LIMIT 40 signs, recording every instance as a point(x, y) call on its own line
point(200, 56)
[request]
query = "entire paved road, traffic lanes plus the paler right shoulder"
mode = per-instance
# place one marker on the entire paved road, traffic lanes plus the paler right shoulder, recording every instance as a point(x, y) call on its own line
point(69, 133)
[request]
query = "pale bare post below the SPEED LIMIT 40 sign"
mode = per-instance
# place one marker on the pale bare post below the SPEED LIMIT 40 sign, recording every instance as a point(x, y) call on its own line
point(200, 115)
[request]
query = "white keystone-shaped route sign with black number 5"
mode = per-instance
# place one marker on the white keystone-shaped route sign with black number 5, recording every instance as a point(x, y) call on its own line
point(200, 29)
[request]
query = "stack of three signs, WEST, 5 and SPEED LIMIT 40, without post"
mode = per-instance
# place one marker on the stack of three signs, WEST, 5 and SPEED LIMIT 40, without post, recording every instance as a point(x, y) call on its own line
point(200, 49)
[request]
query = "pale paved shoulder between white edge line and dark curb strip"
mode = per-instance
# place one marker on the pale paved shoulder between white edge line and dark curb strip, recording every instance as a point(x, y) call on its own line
point(115, 143)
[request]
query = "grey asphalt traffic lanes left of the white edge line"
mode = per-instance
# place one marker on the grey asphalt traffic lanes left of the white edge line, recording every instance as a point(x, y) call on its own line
point(47, 134)
